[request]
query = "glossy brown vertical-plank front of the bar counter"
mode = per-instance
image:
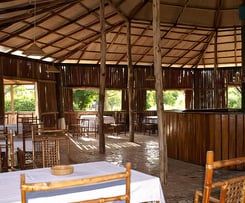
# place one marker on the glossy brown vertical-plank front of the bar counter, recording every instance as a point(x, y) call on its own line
point(191, 134)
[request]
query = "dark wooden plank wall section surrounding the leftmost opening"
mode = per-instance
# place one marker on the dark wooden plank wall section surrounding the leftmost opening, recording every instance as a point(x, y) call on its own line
point(19, 68)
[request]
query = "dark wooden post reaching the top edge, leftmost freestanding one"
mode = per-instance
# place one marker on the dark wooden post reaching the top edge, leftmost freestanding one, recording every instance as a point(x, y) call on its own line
point(102, 79)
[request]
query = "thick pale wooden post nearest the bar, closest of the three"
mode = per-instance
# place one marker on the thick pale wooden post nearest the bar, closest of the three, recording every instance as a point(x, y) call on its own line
point(159, 91)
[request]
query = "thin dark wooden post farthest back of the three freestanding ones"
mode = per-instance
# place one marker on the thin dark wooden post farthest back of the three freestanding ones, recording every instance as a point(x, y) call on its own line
point(130, 85)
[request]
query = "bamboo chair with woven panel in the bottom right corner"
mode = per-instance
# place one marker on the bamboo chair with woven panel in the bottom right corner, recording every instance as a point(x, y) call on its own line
point(227, 190)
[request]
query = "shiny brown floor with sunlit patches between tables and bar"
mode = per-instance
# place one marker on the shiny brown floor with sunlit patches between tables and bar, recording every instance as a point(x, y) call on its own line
point(183, 178)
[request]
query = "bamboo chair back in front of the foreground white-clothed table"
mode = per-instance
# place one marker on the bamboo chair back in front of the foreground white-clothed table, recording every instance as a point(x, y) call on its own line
point(45, 186)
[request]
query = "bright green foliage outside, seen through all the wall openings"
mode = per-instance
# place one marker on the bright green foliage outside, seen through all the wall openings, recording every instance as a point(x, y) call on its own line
point(24, 99)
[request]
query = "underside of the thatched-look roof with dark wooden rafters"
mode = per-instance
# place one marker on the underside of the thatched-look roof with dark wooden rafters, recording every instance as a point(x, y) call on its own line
point(194, 33)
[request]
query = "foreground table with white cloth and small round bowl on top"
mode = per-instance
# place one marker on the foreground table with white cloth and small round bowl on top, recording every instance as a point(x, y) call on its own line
point(144, 187)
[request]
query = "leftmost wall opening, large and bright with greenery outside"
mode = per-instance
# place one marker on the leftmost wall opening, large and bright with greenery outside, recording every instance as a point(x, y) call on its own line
point(19, 97)
